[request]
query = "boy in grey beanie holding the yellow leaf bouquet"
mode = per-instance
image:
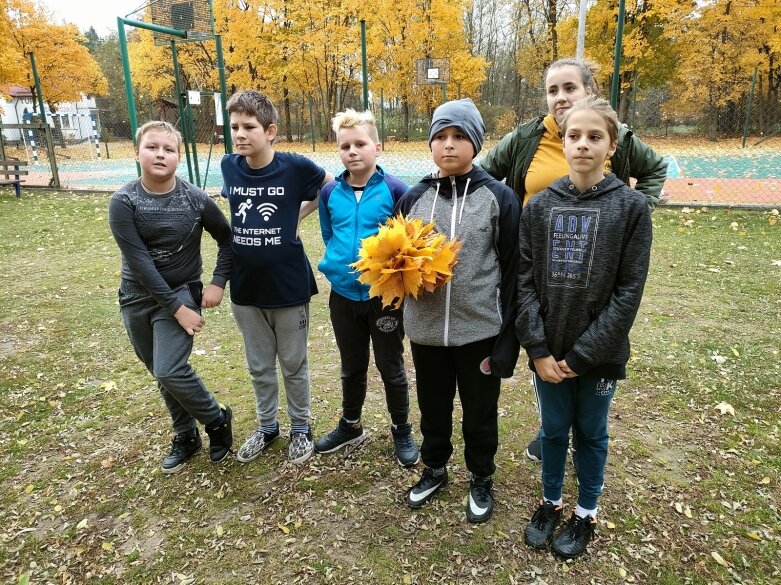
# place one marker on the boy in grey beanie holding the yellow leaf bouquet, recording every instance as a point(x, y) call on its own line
point(462, 335)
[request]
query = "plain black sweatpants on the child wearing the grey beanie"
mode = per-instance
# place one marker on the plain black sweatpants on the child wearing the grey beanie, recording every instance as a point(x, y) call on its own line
point(439, 371)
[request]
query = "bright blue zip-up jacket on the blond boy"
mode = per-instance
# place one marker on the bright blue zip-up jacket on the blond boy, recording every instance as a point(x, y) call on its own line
point(344, 222)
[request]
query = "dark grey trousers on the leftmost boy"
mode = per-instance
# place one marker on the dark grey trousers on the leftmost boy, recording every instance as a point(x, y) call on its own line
point(164, 348)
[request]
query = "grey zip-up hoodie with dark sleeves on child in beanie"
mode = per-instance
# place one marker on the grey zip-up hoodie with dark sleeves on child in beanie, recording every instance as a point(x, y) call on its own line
point(480, 300)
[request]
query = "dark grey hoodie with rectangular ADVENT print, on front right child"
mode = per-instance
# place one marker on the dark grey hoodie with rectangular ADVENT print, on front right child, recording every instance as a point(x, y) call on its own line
point(583, 265)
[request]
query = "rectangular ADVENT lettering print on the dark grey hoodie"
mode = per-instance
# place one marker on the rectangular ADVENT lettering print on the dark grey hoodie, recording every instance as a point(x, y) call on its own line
point(572, 234)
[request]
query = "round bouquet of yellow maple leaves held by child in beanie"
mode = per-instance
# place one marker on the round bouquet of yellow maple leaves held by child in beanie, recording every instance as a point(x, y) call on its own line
point(404, 257)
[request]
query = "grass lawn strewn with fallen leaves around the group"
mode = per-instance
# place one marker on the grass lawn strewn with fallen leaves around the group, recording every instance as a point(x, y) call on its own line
point(692, 486)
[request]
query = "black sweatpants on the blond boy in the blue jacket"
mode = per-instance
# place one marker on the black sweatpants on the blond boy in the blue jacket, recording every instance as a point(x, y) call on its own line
point(355, 323)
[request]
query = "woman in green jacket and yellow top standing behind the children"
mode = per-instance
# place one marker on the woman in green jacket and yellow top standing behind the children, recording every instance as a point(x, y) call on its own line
point(531, 157)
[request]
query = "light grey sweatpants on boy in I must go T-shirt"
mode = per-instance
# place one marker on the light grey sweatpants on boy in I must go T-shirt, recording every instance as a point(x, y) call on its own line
point(271, 334)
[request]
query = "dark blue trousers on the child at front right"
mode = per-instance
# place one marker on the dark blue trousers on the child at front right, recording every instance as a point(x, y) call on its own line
point(580, 403)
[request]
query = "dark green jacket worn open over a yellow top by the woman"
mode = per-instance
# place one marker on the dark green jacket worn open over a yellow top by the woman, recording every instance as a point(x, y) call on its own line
point(510, 159)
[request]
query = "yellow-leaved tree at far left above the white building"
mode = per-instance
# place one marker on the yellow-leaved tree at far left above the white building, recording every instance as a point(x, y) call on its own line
point(65, 67)
